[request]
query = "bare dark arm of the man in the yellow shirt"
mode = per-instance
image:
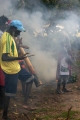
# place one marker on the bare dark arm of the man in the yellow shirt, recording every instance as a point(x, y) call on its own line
point(7, 58)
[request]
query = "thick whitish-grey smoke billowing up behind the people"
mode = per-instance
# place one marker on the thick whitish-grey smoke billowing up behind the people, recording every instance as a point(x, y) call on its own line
point(42, 36)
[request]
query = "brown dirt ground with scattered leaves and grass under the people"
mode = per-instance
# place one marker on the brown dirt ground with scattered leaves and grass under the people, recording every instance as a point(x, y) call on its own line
point(49, 105)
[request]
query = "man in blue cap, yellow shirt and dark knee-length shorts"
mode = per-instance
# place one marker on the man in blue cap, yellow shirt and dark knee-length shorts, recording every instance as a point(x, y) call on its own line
point(9, 62)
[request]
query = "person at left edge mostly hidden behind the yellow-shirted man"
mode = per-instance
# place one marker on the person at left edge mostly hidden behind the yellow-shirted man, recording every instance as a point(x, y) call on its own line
point(3, 21)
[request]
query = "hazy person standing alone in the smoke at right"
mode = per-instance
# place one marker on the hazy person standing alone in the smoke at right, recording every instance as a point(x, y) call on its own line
point(63, 69)
